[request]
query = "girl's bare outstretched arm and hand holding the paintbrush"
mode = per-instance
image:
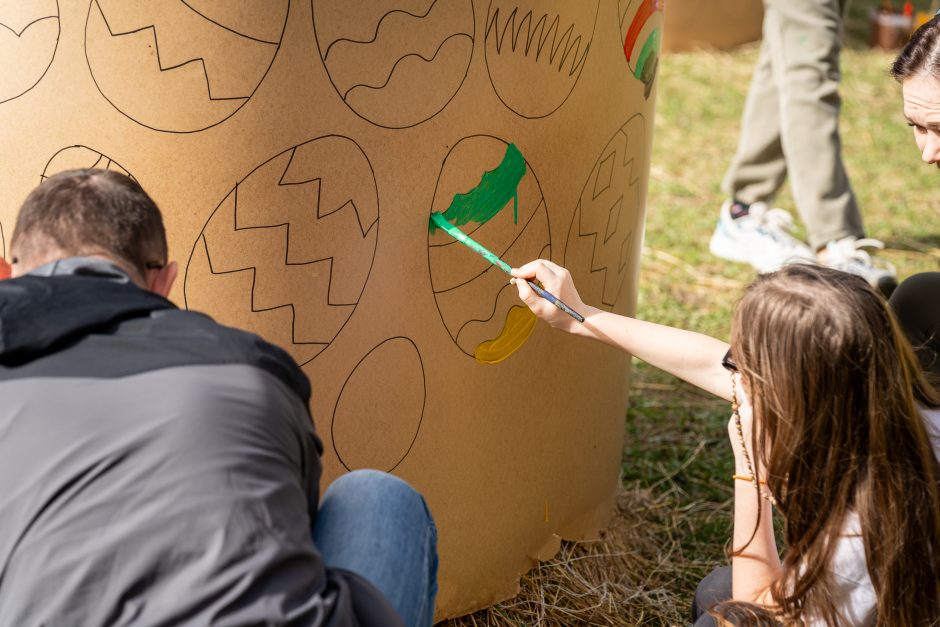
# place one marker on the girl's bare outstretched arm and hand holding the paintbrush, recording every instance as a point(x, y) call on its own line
point(693, 357)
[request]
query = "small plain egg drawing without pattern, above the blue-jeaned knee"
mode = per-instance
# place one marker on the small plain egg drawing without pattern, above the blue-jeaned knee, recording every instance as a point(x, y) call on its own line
point(380, 408)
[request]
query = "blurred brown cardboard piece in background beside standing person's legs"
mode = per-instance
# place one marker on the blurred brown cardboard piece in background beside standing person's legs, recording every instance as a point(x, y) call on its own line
point(716, 24)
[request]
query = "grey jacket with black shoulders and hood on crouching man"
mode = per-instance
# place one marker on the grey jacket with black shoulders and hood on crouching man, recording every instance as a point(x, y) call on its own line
point(156, 468)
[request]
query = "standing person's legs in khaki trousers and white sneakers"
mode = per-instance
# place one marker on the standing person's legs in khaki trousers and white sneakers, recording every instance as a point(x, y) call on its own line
point(790, 130)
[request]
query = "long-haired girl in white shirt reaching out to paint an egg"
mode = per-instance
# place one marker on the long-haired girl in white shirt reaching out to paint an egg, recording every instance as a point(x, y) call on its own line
point(832, 422)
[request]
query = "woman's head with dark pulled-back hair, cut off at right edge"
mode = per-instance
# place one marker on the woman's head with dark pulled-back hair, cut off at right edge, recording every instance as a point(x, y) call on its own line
point(917, 68)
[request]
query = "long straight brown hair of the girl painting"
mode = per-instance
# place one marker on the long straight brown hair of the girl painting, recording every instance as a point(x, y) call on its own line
point(837, 394)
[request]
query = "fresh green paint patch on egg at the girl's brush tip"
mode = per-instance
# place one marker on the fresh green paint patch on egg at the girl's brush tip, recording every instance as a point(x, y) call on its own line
point(490, 195)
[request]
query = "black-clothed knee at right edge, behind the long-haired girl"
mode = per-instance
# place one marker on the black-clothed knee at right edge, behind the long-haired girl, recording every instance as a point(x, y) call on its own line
point(916, 303)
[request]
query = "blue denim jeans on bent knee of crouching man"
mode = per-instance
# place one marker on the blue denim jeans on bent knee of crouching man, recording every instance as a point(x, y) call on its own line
point(377, 526)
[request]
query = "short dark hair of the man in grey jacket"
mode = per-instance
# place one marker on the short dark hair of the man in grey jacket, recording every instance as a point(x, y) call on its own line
point(84, 212)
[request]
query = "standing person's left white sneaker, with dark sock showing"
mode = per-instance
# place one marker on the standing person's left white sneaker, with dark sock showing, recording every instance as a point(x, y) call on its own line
point(760, 238)
